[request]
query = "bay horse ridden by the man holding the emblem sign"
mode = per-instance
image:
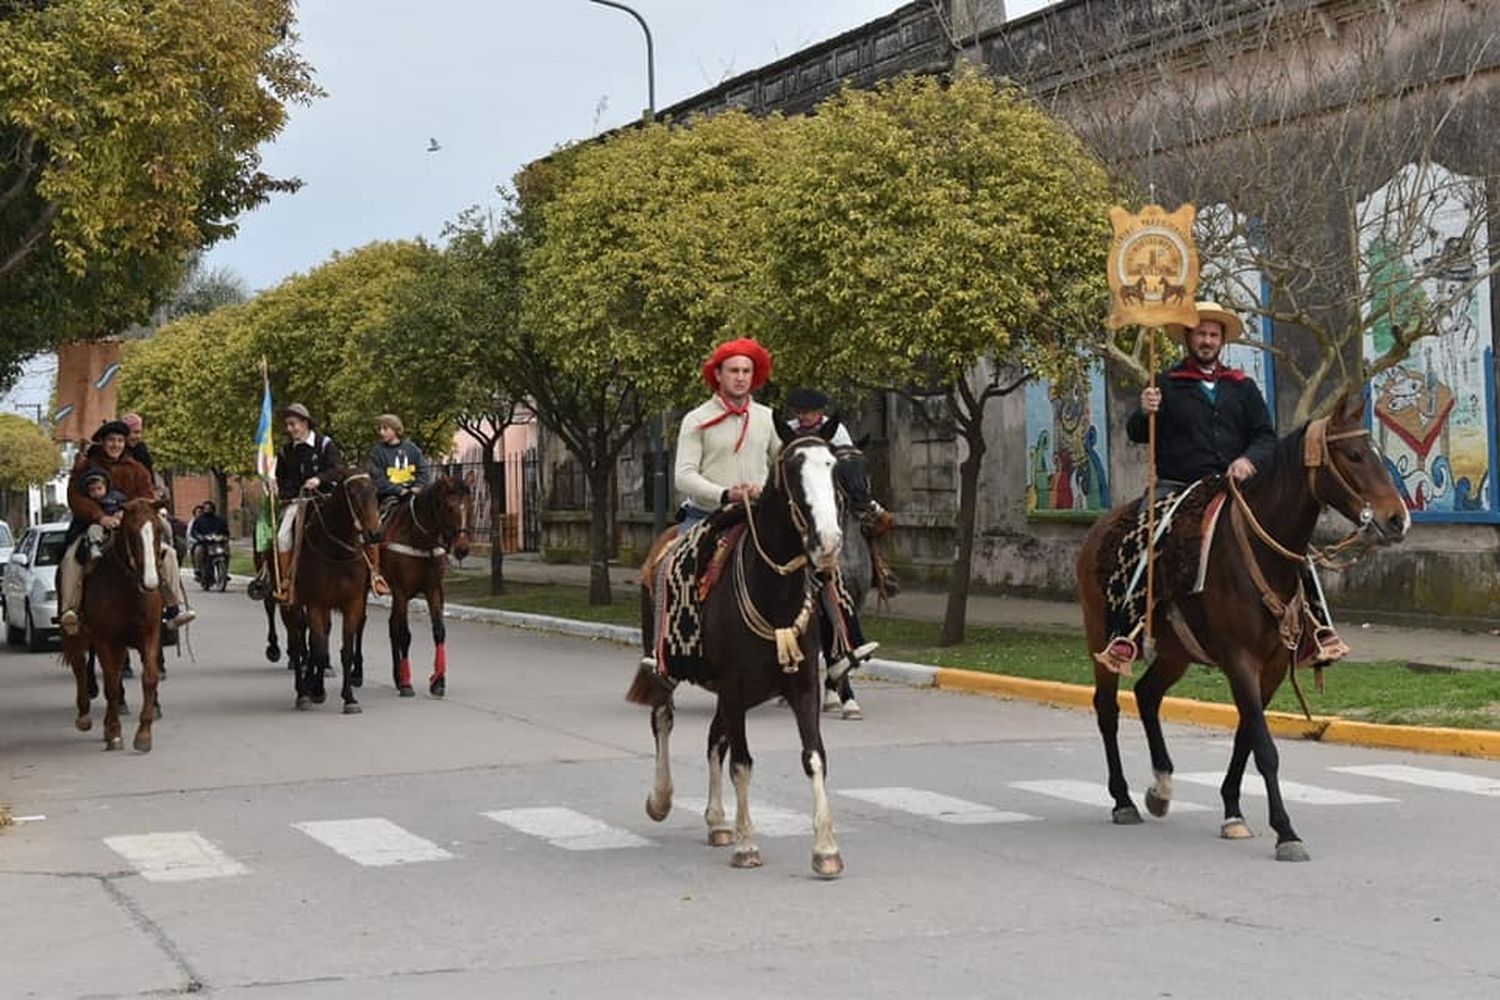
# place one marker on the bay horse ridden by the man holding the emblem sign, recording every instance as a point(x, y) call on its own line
point(1255, 561)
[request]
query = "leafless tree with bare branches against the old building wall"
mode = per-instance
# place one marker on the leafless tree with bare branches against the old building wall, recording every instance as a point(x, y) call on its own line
point(1283, 152)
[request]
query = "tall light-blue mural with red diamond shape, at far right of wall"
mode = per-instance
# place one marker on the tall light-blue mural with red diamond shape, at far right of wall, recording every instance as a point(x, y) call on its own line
point(1435, 413)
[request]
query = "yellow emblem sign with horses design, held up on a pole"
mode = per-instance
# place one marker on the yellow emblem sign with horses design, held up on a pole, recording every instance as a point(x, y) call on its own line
point(1154, 268)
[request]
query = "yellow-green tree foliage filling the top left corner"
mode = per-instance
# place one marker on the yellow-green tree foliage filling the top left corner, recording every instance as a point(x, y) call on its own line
point(130, 137)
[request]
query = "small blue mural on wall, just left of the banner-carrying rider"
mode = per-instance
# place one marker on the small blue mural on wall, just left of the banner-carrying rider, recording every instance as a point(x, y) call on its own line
point(1067, 448)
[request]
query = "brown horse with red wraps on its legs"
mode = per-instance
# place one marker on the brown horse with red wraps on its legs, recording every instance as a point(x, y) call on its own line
point(421, 533)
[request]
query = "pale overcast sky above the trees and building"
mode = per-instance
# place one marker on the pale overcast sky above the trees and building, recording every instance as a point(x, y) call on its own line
point(497, 83)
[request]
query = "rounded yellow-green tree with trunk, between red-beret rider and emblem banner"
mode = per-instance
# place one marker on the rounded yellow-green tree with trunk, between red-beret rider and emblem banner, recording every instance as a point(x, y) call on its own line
point(940, 239)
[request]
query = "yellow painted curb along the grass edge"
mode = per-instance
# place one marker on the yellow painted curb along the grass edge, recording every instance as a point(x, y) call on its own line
point(1465, 743)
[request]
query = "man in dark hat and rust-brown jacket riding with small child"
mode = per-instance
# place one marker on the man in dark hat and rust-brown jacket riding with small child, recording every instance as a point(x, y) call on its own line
point(109, 457)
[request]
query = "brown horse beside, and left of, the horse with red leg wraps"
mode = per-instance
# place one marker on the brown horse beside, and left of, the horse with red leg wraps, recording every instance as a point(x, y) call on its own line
point(332, 573)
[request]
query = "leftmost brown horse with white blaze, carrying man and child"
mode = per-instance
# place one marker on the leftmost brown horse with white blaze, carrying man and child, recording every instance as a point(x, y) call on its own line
point(122, 611)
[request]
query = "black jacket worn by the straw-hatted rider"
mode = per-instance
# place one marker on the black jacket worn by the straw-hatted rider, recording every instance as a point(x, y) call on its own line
point(1198, 437)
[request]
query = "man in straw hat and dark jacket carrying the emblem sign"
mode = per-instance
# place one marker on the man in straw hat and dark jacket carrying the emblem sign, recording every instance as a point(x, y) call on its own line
point(1213, 421)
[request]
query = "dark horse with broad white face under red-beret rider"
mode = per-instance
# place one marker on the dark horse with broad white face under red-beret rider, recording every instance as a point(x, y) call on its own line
point(760, 639)
